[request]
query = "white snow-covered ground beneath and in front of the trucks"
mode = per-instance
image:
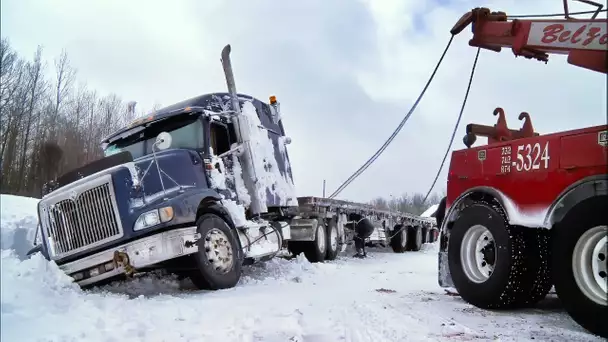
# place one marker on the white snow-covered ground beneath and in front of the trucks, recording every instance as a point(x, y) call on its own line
point(386, 297)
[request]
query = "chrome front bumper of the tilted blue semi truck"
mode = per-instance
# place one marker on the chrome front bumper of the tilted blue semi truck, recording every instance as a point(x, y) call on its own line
point(141, 253)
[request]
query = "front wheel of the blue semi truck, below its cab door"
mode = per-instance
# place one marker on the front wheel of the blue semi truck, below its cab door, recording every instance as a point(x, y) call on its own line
point(218, 260)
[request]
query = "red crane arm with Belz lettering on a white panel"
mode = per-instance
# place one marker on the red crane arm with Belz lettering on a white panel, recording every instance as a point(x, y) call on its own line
point(585, 41)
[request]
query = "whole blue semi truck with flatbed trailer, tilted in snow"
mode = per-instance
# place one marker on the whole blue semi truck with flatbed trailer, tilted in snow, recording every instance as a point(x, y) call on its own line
point(202, 188)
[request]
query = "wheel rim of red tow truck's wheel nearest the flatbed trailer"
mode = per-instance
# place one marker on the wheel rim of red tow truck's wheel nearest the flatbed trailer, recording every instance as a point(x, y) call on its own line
point(478, 254)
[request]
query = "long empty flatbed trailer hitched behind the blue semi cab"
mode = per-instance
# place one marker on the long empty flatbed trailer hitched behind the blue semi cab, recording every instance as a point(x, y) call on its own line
point(342, 223)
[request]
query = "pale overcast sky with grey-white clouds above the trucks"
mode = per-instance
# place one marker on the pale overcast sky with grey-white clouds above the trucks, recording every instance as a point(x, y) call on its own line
point(345, 72)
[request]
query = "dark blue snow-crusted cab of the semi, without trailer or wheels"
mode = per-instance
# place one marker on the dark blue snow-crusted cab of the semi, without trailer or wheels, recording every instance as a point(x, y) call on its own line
point(138, 206)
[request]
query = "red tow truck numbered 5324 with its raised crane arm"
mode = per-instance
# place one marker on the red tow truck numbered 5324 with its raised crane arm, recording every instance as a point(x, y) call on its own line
point(528, 211)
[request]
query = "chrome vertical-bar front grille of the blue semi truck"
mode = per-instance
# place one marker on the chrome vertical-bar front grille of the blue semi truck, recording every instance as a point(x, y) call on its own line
point(82, 218)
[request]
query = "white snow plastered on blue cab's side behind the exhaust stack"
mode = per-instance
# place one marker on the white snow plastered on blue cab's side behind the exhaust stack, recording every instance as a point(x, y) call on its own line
point(269, 176)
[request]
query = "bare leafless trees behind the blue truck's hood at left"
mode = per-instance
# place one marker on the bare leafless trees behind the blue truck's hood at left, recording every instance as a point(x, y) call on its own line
point(50, 122)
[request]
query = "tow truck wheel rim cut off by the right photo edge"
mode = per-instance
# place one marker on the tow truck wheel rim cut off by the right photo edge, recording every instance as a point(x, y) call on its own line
point(589, 264)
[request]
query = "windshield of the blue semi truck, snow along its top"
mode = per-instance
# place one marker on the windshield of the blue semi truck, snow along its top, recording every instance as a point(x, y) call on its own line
point(186, 132)
